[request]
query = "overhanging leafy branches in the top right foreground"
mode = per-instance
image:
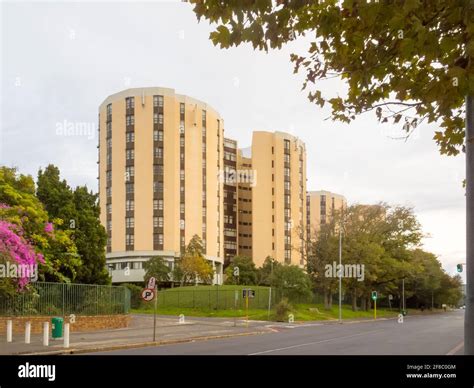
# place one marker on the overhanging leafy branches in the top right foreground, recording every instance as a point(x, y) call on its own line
point(410, 59)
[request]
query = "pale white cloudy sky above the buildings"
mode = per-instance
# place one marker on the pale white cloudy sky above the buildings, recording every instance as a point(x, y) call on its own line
point(60, 60)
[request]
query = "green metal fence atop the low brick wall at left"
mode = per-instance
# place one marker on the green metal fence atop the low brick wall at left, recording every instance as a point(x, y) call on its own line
point(45, 298)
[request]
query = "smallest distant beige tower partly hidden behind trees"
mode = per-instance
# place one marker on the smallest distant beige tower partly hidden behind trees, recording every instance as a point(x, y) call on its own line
point(320, 207)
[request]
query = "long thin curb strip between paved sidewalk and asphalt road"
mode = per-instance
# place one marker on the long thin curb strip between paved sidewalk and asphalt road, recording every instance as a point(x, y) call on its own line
point(138, 345)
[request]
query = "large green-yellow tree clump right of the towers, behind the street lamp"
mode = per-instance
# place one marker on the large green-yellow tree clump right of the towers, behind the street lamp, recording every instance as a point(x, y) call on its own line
point(386, 240)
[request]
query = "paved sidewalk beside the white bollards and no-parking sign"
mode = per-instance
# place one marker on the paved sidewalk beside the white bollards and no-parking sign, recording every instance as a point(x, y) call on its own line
point(139, 333)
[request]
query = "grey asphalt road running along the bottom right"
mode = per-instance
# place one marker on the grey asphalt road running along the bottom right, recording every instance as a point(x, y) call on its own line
point(437, 334)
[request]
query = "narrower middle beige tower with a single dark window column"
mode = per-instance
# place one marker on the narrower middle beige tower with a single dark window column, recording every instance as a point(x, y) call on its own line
point(278, 197)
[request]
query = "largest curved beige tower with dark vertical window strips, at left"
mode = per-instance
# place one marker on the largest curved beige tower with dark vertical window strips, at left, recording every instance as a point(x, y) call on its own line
point(159, 156)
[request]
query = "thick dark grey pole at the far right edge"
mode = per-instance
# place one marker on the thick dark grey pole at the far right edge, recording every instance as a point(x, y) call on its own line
point(469, 314)
